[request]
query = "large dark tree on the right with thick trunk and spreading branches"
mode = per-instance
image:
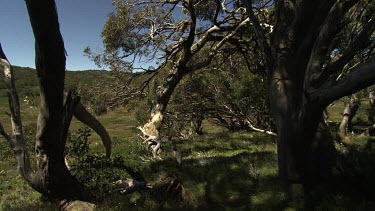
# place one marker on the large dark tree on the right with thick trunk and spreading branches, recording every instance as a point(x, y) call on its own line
point(311, 60)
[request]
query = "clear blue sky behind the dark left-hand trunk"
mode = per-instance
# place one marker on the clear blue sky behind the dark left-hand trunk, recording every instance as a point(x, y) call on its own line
point(81, 22)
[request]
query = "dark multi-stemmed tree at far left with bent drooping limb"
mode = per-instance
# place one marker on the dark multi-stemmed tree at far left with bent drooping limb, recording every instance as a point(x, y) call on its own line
point(51, 176)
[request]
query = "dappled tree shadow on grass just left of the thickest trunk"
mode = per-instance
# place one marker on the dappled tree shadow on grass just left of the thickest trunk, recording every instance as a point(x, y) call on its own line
point(241, 182)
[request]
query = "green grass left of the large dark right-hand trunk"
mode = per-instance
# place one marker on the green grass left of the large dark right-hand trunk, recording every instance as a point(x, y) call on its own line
point(218, 170)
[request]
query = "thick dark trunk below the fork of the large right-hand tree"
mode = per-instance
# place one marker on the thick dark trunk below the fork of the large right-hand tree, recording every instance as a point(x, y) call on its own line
point(305, 147)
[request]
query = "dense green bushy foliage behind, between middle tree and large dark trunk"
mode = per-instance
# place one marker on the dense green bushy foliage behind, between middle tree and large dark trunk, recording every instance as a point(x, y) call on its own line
point(230, 96)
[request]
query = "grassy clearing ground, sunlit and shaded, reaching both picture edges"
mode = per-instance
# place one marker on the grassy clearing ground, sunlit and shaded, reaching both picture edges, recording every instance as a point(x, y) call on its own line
point(220, 170)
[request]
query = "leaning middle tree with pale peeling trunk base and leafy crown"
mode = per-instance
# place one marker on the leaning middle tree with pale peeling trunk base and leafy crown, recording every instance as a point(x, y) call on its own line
point(183, 34)
